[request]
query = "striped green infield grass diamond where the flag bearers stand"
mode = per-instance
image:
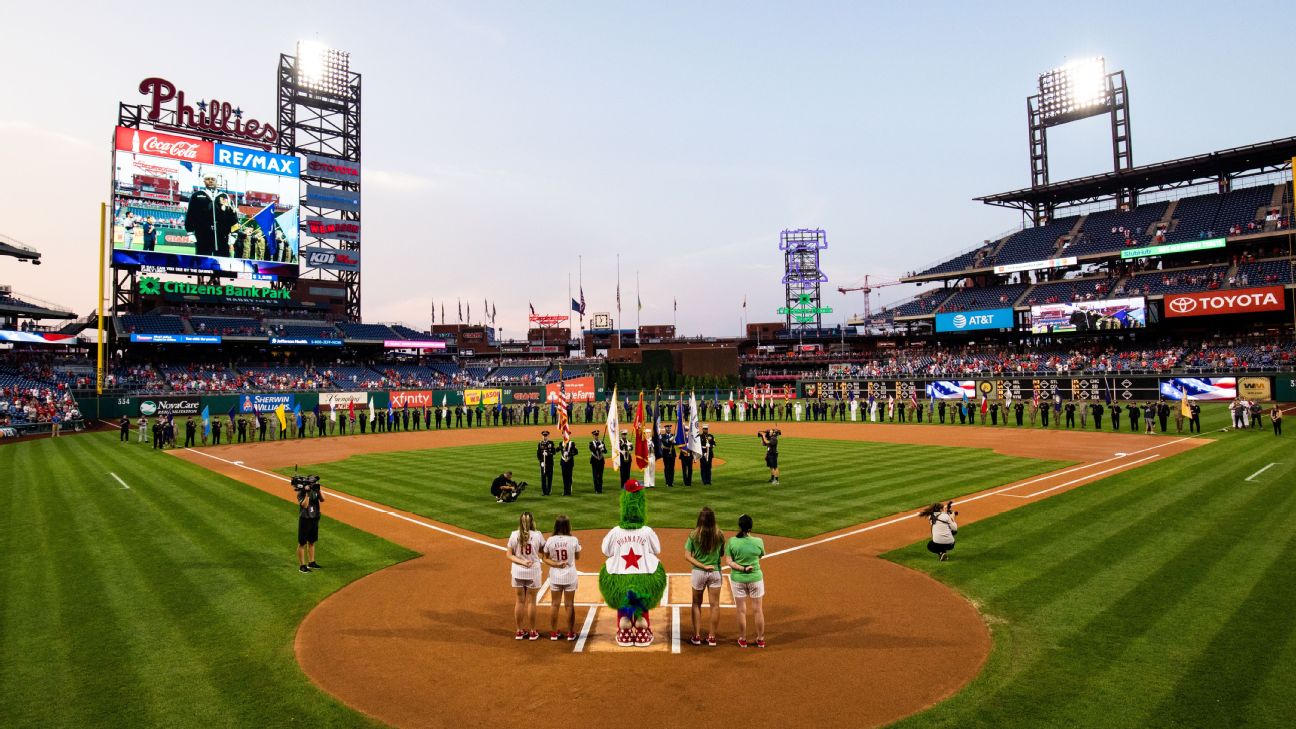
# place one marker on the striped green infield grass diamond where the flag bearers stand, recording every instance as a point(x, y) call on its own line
point(825, 484)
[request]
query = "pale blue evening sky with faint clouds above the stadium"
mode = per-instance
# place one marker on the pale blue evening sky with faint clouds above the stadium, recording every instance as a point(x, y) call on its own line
point(505, 141)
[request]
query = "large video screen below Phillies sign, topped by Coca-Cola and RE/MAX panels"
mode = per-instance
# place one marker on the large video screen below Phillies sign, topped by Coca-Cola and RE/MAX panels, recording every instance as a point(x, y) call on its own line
point(182, 203)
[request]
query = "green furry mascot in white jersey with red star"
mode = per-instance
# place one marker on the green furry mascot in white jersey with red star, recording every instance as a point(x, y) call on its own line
point(633, 580)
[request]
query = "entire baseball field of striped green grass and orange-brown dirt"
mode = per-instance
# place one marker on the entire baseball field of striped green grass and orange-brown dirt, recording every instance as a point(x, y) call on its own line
point(1101, 580)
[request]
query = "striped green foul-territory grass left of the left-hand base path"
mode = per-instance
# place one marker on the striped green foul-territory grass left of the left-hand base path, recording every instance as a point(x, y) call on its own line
point(170, 604)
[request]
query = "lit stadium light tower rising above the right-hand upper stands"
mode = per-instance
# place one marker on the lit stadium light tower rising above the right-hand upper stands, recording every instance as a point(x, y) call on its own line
point(1075, 91)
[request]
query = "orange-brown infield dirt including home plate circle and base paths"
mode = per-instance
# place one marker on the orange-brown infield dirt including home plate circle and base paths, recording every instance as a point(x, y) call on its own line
point(855, 641)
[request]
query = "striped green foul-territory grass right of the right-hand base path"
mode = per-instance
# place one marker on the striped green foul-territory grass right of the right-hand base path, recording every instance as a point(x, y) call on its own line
point(1158, 597)
